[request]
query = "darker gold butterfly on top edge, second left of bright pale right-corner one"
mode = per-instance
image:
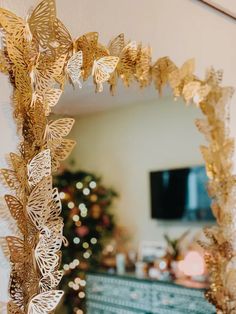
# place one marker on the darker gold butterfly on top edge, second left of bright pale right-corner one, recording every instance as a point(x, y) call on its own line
point(160, 72)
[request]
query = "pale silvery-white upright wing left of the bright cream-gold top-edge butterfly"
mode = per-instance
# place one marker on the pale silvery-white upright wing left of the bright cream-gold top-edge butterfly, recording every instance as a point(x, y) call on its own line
point(73, 67)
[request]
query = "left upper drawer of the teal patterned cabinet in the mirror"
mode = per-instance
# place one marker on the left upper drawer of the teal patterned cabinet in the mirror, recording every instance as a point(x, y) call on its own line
point(120, 292)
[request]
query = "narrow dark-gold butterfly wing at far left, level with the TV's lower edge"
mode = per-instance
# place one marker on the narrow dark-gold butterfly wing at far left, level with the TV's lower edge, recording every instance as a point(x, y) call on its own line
point(17, 211)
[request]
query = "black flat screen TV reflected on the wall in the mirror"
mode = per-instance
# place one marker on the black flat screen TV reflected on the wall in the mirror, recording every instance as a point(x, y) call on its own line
point(180, 194)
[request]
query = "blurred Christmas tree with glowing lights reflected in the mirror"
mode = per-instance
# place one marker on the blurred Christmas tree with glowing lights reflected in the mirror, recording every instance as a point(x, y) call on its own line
point(89, 223)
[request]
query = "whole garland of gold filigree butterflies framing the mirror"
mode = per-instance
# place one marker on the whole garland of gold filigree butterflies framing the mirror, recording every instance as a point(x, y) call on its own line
point(40, 56)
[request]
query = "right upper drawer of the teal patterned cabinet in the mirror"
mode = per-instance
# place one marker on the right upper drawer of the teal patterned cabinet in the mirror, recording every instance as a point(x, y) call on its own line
point(179, 300)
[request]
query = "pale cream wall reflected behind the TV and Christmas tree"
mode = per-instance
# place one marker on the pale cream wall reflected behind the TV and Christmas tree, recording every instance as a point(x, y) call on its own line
point(123, 145)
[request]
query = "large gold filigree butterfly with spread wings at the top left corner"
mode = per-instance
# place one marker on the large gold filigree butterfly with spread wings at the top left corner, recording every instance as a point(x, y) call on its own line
point(39, 24)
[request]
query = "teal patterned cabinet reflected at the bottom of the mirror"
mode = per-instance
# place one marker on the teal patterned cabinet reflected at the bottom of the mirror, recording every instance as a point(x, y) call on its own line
point(111, 294)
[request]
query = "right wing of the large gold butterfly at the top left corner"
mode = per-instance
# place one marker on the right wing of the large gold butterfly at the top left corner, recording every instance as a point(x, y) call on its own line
point(41, 22)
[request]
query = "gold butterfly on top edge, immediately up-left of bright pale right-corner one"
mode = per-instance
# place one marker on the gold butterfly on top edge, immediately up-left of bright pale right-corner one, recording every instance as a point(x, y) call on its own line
point(179, 77)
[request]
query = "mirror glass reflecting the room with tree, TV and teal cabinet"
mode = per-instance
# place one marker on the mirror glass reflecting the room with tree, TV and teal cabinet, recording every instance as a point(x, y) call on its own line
point(134, 195)
